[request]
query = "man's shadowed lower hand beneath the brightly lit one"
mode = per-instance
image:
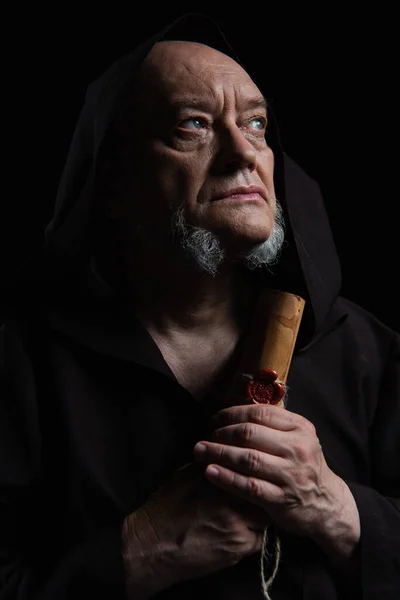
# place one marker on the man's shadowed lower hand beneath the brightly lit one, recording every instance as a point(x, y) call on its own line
point(187, 529)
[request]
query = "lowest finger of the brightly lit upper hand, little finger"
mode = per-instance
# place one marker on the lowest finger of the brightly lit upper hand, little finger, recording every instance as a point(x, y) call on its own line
point(254, 490)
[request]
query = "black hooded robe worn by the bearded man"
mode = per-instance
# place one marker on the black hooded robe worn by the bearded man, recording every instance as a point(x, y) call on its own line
point(92, 420)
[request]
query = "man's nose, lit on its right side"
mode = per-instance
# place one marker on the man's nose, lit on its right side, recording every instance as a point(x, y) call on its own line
point(235, 152)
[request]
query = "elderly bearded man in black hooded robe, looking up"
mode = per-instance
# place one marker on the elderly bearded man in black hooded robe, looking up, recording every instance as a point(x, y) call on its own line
point(123, 454)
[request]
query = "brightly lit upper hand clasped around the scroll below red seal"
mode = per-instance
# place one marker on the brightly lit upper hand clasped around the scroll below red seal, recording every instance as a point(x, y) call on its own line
point(272, 457)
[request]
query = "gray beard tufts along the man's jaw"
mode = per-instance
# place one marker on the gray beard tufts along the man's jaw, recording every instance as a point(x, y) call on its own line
point(203, 248)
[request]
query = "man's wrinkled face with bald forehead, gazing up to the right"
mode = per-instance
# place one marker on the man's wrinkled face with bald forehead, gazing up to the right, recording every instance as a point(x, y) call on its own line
point(197, 134)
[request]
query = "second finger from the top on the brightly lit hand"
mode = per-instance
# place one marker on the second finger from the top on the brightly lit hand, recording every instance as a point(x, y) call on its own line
point(251, 435)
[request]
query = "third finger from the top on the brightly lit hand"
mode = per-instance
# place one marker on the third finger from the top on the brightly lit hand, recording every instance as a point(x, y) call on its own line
point(247, 461)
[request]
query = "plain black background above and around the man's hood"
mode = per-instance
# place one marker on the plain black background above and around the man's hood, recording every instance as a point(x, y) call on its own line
point(331, 79)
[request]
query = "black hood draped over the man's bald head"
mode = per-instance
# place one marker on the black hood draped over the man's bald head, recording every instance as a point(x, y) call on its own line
point(308, 265)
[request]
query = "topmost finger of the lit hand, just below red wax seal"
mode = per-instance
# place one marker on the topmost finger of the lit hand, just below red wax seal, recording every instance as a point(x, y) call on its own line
point(268, 415)
